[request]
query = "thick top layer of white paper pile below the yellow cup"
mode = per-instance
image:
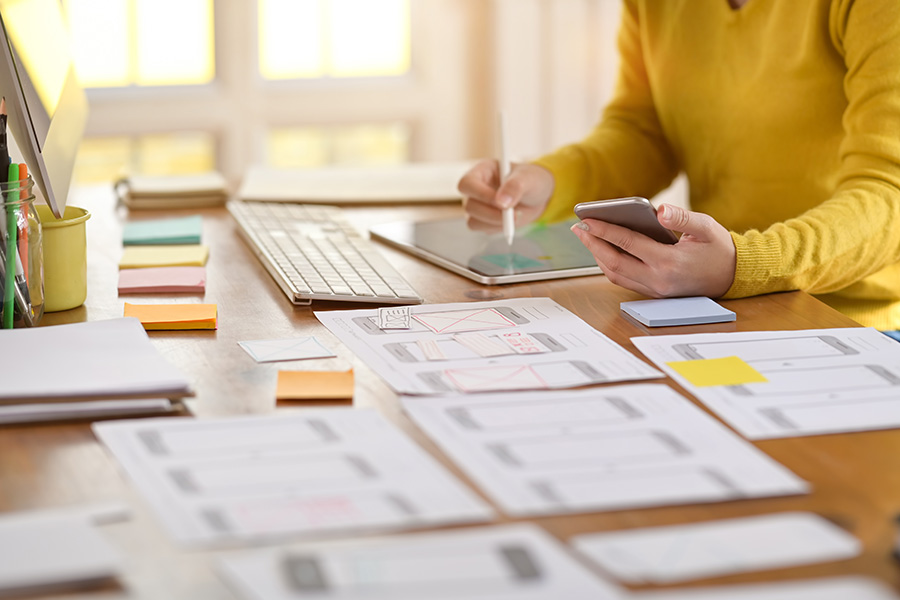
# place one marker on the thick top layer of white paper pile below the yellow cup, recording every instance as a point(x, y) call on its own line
point(96, 359)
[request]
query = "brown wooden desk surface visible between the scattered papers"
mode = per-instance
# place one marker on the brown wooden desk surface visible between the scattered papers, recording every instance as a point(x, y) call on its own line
point(855, 477)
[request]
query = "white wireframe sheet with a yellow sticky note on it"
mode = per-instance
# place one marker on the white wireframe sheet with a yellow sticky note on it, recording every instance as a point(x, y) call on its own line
point(817, 381)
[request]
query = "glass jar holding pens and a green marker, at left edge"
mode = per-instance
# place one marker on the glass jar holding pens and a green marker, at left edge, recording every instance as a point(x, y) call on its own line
point(21, 256)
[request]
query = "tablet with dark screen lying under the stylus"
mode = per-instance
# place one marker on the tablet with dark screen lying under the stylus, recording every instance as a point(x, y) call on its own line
point(538, 252)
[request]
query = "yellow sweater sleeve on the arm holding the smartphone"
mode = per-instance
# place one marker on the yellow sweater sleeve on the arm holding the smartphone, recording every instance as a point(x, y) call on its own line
point(856, 232)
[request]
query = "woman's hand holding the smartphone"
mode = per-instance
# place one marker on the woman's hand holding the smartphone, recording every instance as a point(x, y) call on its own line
point(702, 263)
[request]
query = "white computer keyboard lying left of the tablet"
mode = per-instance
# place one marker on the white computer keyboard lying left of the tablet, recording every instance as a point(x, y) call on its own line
point(313, 253)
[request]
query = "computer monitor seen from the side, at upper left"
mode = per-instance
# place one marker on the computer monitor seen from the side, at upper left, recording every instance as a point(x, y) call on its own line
point(46, 105)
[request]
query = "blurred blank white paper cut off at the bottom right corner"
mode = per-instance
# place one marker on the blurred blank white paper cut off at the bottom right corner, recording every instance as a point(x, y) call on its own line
point(835, 588)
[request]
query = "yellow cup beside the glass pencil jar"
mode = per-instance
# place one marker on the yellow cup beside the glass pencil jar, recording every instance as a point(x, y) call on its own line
point(65, 258)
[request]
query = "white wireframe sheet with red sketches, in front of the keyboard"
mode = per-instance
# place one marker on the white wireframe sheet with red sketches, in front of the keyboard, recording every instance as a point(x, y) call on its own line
point(573, 353)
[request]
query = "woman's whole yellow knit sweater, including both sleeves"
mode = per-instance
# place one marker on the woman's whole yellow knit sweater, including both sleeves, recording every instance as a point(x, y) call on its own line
point(785, 116)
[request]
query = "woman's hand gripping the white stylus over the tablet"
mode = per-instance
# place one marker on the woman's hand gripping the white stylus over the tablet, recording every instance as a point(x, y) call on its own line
point(528, 189)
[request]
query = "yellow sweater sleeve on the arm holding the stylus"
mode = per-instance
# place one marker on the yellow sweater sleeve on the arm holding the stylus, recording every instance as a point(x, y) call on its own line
point(626, 154)
